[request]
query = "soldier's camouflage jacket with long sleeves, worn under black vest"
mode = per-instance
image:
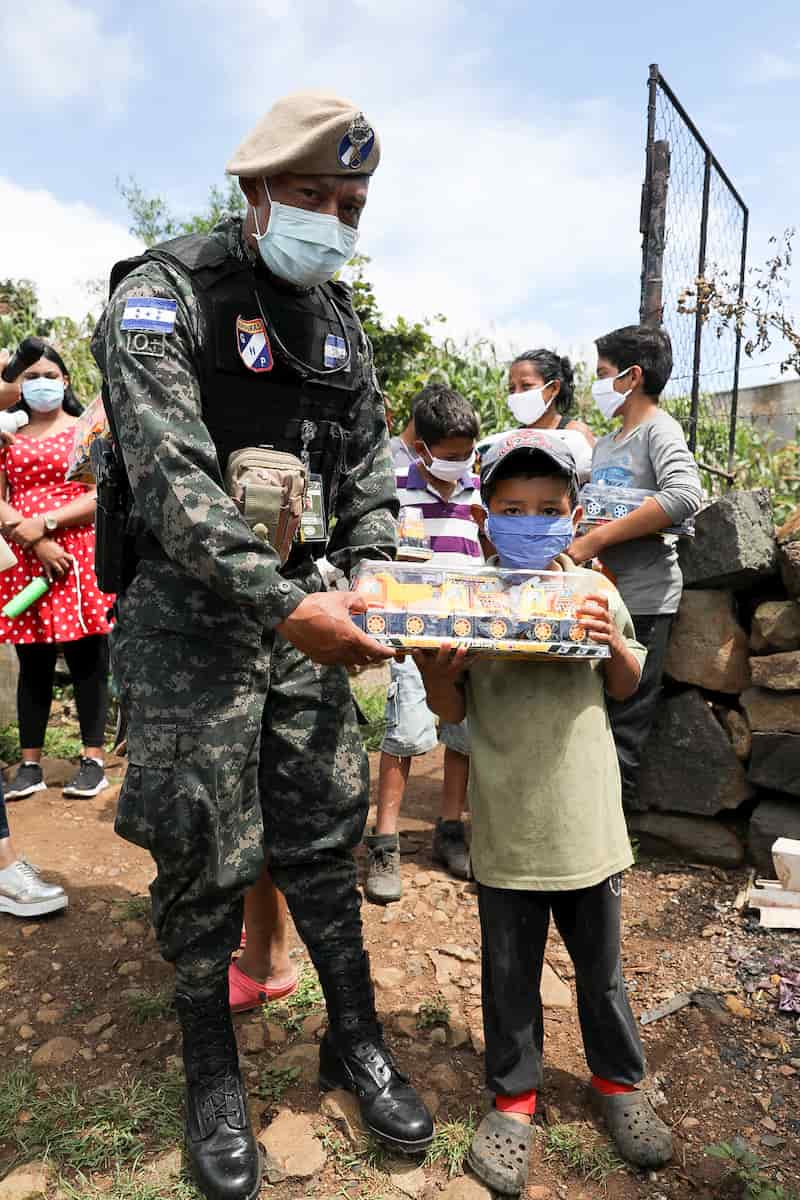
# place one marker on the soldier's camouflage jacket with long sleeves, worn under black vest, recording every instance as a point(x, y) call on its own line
point(219, 573)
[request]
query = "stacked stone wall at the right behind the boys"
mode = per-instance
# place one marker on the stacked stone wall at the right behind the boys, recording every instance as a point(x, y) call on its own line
point(721, 771)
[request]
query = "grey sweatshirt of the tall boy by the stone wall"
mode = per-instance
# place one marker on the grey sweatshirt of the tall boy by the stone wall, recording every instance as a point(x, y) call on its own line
point(654, 455)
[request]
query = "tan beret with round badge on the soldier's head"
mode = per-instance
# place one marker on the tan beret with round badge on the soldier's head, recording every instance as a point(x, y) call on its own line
point(309, 134)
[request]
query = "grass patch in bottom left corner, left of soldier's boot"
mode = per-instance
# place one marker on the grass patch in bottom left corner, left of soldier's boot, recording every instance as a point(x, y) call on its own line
point(106, 1130)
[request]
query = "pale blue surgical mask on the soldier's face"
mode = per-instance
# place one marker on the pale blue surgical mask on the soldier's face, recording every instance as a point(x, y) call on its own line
point(304, 248)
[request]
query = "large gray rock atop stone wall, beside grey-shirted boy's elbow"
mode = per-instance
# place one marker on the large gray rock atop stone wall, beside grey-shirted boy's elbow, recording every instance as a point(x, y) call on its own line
point(735, 543)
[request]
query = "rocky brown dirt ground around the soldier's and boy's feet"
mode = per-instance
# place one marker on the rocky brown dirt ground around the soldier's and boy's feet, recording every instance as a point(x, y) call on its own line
point(91, 1085)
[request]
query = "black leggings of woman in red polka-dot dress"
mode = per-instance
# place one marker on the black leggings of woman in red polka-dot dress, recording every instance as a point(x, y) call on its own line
point(88, 663)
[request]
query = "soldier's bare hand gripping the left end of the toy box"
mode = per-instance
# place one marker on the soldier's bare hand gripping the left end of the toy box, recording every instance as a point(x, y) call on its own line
point(322, 628)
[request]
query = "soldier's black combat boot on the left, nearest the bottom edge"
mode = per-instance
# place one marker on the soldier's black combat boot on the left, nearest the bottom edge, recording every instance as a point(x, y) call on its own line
point(221, 1149)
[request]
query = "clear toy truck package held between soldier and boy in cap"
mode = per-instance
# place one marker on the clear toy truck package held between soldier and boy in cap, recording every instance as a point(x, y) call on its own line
point(492, 611)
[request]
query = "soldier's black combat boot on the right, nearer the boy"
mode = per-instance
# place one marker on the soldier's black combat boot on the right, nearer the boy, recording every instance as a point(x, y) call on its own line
point(353, 1055)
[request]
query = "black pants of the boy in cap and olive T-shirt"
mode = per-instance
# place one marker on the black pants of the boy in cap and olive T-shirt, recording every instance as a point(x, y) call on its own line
point(514, 934)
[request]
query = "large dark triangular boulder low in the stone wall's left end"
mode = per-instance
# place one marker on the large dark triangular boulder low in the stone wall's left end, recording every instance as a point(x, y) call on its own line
point(689, 765)
